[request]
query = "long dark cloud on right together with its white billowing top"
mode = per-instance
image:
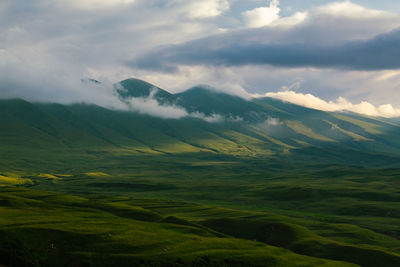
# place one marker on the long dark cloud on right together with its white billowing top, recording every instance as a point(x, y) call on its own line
point(340, 35)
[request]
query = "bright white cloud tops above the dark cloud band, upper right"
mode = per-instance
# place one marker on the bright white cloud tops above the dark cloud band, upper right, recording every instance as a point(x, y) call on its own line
point(334, 22)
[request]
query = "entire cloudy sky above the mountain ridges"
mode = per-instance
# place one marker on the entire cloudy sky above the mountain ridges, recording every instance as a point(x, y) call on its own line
point(330, 55)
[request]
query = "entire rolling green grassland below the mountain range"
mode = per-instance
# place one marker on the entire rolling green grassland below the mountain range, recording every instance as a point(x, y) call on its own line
point(197, 209)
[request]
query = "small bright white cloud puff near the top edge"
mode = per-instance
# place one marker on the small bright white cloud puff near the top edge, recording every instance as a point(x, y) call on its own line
point(262, 16)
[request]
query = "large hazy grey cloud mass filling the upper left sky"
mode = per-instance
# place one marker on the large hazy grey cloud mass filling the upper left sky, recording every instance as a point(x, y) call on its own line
point(47, 47)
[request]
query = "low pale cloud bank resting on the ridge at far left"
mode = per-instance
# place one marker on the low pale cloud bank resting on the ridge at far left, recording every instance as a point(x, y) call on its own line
point(34, 80)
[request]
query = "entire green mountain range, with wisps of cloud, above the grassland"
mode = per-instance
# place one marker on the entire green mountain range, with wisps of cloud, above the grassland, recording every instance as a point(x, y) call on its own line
point(252, 128)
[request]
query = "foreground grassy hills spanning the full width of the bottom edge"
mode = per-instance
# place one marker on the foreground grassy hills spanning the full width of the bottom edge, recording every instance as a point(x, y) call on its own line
point(45, 228)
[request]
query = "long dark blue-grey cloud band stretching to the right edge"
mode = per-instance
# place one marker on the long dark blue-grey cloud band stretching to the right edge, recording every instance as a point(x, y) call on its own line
point(379, 53)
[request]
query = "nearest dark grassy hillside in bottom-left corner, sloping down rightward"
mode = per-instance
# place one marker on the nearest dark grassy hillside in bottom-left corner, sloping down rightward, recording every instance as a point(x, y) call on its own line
point(44, 228)
